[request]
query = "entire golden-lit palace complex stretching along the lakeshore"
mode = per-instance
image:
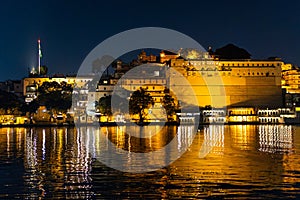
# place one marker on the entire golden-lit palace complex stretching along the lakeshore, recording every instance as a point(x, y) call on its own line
point(247, 83)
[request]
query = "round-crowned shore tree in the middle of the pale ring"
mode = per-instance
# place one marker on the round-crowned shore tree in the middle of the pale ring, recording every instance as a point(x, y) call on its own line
point(139, 101)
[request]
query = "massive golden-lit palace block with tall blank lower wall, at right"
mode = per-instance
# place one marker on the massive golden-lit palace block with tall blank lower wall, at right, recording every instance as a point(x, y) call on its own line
point(234, 83)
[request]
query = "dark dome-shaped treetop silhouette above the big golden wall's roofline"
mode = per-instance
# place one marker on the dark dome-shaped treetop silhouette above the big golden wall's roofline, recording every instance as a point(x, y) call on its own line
point(231, 51)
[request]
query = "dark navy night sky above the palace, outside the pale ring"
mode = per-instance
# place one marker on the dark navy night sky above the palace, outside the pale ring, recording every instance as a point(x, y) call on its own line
point(69, 30)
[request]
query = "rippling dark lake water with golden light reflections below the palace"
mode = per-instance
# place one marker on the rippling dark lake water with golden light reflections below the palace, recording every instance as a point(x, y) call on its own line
point(238, 161)
